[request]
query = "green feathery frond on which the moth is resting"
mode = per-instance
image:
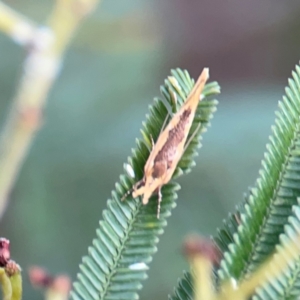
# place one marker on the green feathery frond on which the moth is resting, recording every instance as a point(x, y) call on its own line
point(127, 236)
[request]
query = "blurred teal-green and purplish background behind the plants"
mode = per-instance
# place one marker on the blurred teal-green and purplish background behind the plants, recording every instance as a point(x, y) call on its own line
point(114, 68)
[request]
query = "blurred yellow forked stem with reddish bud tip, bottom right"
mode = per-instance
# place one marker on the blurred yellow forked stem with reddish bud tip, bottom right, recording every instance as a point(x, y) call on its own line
point(203, 254)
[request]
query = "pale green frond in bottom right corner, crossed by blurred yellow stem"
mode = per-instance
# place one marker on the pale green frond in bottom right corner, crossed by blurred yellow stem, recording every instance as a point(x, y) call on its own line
point(287, 286)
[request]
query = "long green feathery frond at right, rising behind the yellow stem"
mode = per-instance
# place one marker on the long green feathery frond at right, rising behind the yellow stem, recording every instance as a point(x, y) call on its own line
point(269, 204)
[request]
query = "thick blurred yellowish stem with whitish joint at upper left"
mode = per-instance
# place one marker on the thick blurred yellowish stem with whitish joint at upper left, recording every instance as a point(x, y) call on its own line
point(40, 70)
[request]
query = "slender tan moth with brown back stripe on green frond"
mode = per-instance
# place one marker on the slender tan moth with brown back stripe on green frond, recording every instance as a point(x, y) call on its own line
point(169, 147)
